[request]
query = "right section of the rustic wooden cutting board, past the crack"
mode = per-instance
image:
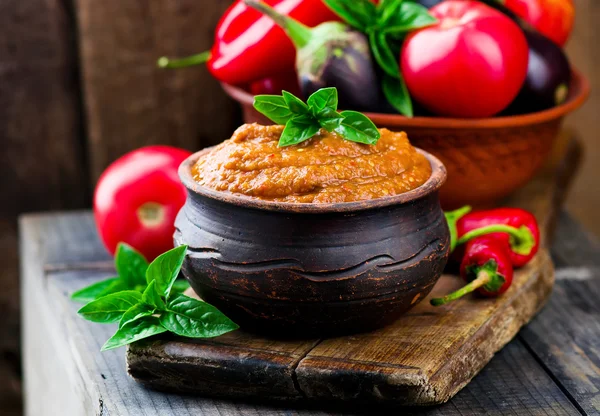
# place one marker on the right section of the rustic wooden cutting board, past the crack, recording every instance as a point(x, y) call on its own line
point(429, 354)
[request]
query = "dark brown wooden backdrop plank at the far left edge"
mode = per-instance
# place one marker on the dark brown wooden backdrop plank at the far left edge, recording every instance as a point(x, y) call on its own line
point(40, 163)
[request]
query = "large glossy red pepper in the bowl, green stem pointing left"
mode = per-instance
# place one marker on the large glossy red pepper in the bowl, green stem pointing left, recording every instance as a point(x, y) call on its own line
point(249, 46)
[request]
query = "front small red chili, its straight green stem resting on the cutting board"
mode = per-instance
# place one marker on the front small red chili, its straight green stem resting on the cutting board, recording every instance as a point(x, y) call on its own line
point(486, 267)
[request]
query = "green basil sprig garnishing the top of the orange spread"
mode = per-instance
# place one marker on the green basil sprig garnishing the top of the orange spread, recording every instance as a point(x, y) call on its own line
point(304, 120)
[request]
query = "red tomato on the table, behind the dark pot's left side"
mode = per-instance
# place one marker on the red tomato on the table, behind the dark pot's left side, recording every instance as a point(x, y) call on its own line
point(137, 198)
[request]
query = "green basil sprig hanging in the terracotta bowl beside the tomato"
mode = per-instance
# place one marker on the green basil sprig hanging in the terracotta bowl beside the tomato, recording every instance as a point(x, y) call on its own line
point(385, 25)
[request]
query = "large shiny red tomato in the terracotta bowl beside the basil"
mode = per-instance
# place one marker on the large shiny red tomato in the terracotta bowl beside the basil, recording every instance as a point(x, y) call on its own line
point(472, 63)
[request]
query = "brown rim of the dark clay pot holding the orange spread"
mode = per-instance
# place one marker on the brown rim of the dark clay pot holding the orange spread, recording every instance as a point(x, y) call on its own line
point(433, 184)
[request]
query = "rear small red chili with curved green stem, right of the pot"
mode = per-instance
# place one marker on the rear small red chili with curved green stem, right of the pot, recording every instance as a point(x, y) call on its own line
point(517, 228)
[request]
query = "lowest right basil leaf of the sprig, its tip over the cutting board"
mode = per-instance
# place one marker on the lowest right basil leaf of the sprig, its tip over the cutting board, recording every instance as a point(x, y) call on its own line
point(192, 318)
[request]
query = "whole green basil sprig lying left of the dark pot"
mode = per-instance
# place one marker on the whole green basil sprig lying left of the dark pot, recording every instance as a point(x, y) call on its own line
point(146, 300)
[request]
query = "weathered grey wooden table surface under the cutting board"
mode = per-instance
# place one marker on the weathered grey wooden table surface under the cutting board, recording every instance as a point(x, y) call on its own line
point(552, 367)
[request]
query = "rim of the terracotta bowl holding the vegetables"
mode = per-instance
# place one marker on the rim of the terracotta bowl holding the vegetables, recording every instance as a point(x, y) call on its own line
point(579, 90)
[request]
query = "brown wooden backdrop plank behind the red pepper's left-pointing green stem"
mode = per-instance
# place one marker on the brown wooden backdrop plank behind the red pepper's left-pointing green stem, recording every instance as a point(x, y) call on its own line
point(129, 101)
